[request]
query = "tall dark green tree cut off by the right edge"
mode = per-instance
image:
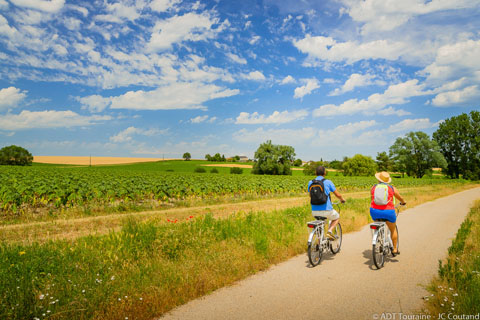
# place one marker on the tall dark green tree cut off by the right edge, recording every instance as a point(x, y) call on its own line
point(459, 141)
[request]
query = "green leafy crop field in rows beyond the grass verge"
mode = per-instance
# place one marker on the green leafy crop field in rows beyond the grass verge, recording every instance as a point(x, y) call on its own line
point(53, 189)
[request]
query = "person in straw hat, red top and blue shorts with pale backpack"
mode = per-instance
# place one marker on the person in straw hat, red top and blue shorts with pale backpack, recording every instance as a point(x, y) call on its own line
point(386, 211)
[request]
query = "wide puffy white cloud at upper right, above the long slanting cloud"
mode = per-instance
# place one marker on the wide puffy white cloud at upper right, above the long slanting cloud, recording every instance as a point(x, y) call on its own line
point(327, 49)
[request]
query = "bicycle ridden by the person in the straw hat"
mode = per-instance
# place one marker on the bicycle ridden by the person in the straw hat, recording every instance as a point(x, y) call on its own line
point(382, 245)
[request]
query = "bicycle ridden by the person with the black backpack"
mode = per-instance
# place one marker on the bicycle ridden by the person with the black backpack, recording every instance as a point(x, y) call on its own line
point(318, 243)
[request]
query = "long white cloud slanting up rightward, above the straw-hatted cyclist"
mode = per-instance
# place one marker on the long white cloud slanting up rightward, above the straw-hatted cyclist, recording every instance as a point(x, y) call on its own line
point(394, 94)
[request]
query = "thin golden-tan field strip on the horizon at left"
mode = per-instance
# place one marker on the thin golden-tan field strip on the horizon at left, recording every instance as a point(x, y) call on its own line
point(91, 160)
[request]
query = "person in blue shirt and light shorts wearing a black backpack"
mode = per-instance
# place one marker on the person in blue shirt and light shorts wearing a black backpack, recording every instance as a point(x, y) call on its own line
point(326, 210)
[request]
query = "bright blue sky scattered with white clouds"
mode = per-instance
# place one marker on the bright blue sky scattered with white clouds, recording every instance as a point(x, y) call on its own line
point(160, 78)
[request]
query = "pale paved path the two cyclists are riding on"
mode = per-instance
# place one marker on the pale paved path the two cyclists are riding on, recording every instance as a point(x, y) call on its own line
point(346, 286)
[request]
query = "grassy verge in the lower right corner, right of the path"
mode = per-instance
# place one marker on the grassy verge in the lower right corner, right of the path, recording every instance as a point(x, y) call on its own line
point(456, 290)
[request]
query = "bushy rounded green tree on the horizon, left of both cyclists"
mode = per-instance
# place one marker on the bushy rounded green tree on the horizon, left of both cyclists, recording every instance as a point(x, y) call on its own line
point(273, 159)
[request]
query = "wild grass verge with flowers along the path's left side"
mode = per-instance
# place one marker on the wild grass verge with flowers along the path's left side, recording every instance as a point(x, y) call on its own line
point(149, 267)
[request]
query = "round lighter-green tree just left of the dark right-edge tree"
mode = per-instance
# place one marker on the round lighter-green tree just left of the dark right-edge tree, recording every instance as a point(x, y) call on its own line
point(416, 153)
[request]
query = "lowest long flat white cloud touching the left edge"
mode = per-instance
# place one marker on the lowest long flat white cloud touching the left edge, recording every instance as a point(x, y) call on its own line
point(47, 119)
